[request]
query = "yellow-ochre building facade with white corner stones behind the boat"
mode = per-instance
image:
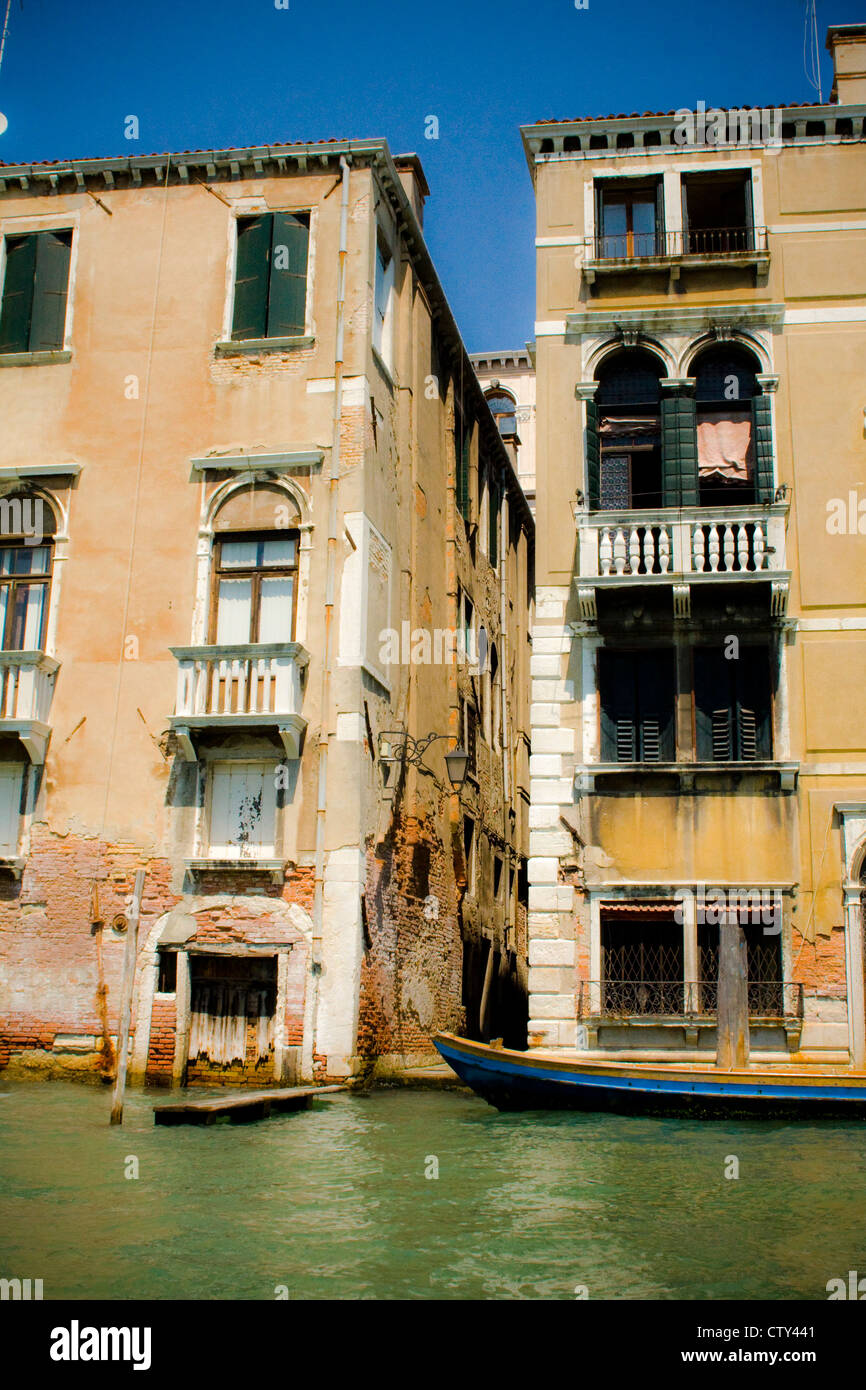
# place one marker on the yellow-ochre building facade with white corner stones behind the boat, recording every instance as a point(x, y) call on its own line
point(700, 635)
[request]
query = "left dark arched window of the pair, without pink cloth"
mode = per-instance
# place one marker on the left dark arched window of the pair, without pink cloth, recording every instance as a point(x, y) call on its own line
point(629, 412)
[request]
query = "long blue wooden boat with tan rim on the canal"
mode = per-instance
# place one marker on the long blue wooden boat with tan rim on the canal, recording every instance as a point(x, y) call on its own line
point(548, 1081)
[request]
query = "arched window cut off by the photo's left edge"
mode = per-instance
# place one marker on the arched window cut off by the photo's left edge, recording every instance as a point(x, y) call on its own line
point(27, 532)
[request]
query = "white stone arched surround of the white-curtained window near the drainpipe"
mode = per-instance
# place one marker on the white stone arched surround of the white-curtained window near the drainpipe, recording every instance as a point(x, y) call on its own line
point(208, 536)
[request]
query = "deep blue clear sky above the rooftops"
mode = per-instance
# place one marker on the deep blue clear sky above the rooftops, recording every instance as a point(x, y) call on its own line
point(216, 73)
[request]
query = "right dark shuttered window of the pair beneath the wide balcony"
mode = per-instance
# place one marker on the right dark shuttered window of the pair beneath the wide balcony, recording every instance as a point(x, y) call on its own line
point(733, 705)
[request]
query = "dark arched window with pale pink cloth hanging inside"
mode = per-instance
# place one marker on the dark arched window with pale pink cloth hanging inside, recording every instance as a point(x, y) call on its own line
point(726, 384)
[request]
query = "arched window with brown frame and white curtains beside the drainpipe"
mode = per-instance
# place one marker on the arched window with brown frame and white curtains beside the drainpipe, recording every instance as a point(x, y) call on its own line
point(255, 569)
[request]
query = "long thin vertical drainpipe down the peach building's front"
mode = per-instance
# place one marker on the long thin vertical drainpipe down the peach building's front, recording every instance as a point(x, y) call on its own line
point(319, 900)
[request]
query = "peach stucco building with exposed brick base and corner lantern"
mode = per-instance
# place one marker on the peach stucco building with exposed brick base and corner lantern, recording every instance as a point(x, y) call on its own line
point(261, 536)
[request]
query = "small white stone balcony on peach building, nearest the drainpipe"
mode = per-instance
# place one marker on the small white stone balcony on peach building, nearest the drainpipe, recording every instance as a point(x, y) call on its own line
point(243, 687)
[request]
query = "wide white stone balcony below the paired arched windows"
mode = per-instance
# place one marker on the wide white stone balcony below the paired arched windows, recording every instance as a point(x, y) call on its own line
point(680, 547)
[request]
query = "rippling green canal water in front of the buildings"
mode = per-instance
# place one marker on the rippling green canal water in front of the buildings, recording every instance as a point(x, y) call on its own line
point(334, 1203)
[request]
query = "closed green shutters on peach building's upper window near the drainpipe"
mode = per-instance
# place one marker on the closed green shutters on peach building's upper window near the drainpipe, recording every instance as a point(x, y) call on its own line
point(272, 276)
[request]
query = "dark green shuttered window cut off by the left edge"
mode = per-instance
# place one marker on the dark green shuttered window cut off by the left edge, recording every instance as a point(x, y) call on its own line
point(35, 290)
